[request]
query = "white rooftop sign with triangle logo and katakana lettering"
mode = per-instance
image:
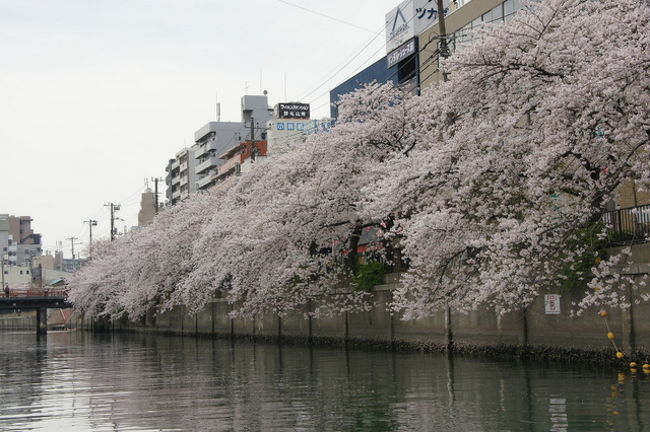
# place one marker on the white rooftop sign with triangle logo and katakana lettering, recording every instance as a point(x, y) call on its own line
point(409, 19)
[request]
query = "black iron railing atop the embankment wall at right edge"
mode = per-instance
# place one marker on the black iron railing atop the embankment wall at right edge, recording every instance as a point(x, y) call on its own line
point(629, 225)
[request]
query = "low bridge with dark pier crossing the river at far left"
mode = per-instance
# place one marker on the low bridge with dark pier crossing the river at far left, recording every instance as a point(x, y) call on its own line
point(36, 299)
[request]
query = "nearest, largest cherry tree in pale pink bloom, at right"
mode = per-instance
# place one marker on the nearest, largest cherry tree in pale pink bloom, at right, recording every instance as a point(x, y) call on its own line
point(541, 121)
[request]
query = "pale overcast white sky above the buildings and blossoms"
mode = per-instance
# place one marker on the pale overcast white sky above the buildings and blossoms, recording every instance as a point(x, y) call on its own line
point(97, 95)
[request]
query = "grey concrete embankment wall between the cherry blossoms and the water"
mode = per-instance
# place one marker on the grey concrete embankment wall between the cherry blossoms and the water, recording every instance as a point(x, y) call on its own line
point(482, 330)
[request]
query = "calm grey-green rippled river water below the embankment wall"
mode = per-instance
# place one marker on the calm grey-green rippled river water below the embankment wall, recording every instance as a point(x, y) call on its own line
point(76, 381)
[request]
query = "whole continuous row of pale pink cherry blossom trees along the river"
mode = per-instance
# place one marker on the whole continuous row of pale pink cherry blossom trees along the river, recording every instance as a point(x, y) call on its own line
point(492, 184)
